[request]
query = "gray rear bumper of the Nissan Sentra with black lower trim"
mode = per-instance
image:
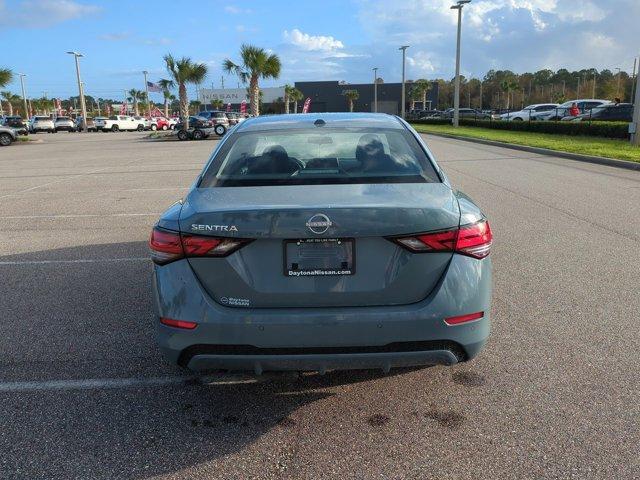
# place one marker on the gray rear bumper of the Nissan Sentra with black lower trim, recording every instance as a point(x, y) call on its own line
point(323, 338)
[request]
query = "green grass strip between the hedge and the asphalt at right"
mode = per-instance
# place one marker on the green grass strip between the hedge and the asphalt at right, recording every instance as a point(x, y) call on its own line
point(601, 147)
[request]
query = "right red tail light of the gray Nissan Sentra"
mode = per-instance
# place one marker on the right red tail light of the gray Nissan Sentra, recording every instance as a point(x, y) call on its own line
point(473, 240)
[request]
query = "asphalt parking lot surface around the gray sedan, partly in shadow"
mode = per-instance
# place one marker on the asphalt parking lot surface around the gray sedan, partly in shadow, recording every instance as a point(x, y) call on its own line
point(85, 394)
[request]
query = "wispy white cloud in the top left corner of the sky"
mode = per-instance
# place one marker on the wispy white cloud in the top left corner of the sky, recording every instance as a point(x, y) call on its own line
point(42, 13)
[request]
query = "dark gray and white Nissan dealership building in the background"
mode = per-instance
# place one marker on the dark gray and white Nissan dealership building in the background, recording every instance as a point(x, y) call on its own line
point(326, 96)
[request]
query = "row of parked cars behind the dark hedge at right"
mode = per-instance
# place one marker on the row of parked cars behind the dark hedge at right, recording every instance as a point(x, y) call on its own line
point(574, 110)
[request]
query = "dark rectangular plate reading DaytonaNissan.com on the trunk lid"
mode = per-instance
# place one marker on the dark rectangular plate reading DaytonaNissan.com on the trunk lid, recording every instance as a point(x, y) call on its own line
point(310, 257)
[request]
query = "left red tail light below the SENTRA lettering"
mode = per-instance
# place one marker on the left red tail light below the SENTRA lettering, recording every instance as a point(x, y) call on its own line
point(168, 246)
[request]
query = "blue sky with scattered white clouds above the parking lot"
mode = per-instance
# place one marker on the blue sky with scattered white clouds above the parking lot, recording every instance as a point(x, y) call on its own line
point(316, 40)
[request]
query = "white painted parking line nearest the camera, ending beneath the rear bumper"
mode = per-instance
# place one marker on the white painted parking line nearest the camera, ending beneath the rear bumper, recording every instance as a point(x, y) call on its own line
point(108, 383)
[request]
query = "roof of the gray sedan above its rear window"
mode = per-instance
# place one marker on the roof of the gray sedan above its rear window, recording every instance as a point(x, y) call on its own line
point(306, 120)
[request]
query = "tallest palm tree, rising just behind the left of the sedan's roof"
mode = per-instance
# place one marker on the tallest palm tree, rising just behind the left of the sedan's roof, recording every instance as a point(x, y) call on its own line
point(257, 63)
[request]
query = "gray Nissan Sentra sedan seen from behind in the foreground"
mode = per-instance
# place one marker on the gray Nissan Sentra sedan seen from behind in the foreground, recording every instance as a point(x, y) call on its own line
point(321, 242)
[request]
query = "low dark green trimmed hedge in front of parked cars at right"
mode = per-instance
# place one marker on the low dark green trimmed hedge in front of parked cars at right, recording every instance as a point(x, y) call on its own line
point(593, 129)
